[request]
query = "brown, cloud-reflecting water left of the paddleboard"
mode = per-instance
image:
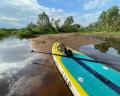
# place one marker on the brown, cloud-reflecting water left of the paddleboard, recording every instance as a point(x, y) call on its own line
point(20, 76)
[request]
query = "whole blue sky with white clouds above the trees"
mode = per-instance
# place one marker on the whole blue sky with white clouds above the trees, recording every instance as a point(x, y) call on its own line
point(18, 13)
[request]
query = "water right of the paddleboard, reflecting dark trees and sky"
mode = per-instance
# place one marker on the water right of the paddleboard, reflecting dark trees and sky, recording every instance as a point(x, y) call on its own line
point(108, 51)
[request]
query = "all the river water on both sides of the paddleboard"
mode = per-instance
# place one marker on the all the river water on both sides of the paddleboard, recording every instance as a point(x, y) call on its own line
point(21, 76)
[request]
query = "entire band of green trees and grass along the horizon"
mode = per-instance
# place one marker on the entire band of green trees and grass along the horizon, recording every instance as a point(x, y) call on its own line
point(108, 21)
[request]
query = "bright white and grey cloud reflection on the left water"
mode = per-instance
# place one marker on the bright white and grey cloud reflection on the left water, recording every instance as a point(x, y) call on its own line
point(14, 55)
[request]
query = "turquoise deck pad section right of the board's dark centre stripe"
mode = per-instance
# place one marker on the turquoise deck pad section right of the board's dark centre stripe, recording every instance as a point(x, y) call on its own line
point(105, 71)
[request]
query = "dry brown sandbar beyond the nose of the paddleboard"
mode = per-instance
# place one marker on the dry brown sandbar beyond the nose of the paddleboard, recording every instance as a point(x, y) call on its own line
point(44, 42)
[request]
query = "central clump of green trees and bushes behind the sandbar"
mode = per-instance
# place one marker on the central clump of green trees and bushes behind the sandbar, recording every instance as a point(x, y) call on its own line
point(44, 25)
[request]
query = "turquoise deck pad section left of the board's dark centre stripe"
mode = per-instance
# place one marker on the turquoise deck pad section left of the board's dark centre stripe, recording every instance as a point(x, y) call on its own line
point(92, 85)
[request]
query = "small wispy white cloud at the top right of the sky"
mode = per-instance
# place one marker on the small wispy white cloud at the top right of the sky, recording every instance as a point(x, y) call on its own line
point(95, 4)
